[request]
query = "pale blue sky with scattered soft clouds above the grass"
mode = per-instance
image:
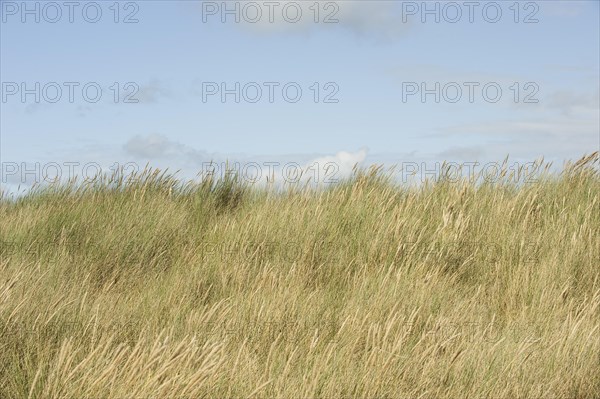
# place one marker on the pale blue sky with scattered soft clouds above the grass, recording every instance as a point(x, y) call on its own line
point(177, 84)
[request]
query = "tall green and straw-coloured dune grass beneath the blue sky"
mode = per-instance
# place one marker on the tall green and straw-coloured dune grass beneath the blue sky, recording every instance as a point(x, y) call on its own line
point(158, 289)
